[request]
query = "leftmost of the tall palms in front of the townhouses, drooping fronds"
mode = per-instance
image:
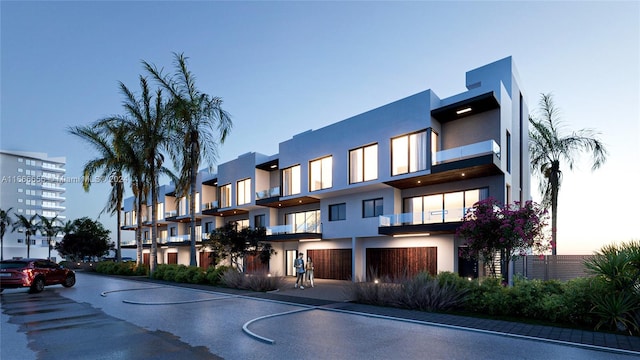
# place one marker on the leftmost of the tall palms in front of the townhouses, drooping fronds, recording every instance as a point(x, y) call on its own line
point(109, 163)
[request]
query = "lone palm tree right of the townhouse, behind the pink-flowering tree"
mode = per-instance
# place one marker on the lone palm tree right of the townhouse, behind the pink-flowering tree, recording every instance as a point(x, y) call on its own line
point(549, 147)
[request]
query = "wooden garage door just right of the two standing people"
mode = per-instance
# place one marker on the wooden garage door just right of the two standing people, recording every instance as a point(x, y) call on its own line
point(331, 263)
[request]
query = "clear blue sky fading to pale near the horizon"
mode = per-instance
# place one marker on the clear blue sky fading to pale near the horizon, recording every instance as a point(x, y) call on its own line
point(286, 67)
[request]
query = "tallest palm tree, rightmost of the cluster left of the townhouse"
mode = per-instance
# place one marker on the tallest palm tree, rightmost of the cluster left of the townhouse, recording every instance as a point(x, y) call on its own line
point(196, 116)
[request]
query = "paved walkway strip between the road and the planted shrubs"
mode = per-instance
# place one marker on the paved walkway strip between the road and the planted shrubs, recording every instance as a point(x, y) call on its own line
point(335, 294)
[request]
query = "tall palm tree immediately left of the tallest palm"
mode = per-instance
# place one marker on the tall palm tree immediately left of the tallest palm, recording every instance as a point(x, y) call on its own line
point(147, 125)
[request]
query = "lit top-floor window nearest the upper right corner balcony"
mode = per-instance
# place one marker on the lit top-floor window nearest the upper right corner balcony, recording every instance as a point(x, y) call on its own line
point(409, 153)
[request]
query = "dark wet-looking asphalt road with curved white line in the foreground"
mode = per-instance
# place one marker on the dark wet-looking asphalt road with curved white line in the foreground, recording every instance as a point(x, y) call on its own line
point(110, 318)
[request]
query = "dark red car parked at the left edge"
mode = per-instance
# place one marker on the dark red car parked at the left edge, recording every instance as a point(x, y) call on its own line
point(34, 274)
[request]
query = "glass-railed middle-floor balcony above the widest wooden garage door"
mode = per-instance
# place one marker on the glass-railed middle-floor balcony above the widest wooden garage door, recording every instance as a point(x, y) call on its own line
point(429, 222)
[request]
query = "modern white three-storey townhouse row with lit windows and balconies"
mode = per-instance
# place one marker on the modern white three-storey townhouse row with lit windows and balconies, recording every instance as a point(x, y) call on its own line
point(380, 193)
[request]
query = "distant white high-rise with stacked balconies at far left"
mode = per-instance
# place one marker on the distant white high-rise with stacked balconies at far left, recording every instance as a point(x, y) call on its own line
point(32, 186)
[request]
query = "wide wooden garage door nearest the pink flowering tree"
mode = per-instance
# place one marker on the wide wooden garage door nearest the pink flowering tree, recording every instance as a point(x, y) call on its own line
point(397, 263)
